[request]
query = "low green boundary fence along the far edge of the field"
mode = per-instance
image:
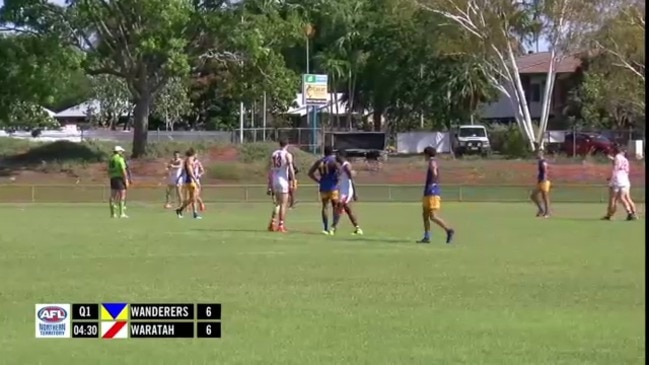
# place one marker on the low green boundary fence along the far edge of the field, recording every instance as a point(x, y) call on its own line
point(14, 193)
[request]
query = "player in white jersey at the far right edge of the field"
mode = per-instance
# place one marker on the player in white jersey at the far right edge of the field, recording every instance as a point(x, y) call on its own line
point(620, 186)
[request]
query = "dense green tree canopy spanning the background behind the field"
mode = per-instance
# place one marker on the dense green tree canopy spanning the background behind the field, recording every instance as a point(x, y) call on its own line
point(412, 64)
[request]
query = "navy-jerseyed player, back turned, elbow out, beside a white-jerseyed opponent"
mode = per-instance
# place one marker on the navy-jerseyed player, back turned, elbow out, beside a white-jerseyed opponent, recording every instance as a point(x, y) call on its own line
point(328, 172)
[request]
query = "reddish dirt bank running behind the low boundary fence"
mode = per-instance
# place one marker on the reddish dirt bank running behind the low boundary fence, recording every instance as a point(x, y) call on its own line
point(396, 171)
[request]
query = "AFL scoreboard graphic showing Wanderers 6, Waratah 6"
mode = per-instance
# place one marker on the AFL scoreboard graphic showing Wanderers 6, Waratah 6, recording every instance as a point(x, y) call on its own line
point(128, 320)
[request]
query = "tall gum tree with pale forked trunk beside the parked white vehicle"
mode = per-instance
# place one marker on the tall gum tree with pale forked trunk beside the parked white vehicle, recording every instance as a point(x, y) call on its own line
point(501, 28)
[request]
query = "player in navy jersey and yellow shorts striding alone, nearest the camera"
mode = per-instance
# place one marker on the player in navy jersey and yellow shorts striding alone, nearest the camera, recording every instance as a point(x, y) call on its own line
point(431, 202)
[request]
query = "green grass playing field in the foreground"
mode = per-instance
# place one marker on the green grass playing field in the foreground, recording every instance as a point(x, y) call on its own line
point(512, 289)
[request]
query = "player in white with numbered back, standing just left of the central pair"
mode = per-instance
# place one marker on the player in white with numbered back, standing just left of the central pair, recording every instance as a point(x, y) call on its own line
point(280, 176)
